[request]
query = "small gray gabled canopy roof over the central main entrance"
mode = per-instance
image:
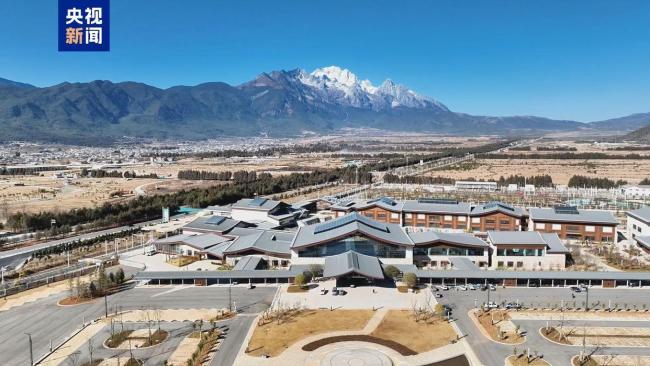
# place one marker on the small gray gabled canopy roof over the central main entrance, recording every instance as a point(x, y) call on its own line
point(352, 262)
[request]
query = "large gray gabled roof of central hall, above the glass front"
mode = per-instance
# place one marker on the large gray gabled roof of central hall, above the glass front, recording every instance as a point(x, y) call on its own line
point(348, 225)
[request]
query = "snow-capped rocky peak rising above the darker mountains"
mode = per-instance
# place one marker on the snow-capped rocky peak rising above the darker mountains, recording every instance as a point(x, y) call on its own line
point(337, 86)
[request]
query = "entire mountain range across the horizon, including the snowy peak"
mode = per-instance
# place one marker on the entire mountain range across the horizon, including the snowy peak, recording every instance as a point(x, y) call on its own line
point(278, 103)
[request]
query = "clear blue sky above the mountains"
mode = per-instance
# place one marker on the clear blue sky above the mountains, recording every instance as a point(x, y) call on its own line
point(564, 59)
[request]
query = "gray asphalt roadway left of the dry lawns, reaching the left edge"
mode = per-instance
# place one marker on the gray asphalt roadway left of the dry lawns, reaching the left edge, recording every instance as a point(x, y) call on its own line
point(46, 321)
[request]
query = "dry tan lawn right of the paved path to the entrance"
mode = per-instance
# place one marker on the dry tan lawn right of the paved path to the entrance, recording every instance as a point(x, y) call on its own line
point(400, 326)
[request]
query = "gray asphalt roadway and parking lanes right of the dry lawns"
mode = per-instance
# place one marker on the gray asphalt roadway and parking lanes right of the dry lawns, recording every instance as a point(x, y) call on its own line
point(492, 353)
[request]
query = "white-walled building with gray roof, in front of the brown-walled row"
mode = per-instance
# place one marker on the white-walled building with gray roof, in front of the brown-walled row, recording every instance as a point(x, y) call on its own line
point(526, 250)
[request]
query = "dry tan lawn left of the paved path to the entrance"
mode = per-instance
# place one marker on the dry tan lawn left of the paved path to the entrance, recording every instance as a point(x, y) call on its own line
point(271, 338)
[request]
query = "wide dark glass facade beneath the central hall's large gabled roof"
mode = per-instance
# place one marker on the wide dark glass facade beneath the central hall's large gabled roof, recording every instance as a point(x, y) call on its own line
point(357, 243)
